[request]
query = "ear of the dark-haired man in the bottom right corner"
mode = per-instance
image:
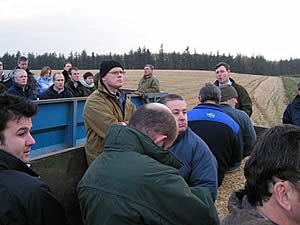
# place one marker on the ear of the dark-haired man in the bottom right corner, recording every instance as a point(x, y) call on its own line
point(282, 193)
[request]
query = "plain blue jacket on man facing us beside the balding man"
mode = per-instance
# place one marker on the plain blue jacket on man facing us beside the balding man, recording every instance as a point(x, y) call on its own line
point(200, 167)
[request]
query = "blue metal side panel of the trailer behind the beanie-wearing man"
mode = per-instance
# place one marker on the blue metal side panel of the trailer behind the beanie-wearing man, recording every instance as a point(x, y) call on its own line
point(59, 123)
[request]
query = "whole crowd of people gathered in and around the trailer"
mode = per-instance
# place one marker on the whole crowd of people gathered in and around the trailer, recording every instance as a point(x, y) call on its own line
point(159, 164)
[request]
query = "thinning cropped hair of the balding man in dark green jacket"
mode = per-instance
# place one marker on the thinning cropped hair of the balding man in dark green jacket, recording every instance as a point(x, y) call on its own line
point(153, 118)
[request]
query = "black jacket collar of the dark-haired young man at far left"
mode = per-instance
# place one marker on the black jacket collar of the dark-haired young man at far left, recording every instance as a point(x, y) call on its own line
point(9, 162)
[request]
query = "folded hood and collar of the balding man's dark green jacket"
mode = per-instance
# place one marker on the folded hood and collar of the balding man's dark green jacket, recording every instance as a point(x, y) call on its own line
point(124, 138)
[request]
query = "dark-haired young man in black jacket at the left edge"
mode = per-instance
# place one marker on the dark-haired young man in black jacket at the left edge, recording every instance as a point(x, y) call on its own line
point(25, 199)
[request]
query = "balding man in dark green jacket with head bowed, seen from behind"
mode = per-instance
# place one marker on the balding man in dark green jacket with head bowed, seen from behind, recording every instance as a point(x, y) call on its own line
point(136, 181)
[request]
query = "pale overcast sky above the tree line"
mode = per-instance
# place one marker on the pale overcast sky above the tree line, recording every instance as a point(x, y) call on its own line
point(247, 27)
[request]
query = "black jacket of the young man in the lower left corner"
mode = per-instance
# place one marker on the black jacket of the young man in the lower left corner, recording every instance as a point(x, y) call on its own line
point(25, 199)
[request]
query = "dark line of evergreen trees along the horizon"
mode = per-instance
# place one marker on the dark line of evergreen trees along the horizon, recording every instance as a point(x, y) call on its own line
point(175, 60)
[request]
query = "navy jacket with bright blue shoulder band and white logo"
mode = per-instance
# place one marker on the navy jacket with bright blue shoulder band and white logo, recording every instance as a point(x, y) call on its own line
point(220, 132)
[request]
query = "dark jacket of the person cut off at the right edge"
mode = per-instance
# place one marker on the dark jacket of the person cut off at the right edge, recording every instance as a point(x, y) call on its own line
point(291, 114)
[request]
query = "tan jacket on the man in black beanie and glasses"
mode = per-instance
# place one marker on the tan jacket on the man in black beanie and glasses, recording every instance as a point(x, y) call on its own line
point(102, 110)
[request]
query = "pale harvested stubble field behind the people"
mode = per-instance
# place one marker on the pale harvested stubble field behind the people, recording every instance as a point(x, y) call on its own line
point(267, 93)
